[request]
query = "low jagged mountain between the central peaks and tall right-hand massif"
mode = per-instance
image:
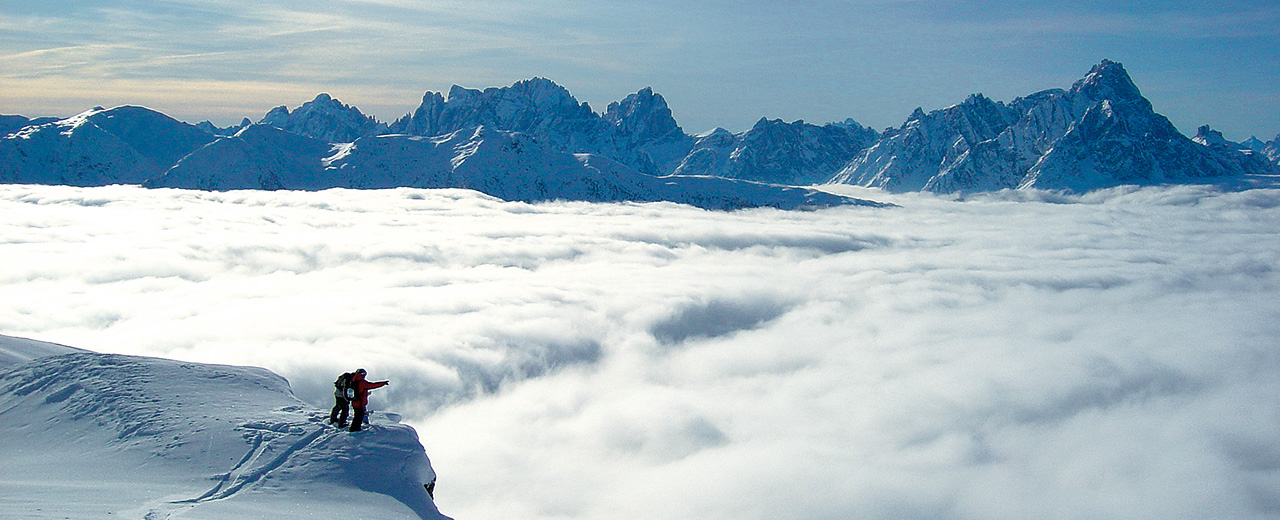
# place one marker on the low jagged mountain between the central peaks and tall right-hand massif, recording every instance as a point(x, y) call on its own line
point(776, 152)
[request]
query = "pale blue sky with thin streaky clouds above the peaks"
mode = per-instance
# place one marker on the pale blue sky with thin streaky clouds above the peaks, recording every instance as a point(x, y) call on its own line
point(717, 63)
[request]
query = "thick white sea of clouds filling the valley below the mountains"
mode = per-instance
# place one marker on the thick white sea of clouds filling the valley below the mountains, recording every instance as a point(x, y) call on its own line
point(1020, 355)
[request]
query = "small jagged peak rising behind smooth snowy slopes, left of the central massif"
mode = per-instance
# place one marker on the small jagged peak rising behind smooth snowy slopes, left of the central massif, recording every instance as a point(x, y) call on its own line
point(327, 120)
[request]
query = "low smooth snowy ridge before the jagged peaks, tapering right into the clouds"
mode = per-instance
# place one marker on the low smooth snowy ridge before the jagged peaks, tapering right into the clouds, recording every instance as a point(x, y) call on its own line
point(505, 165)
